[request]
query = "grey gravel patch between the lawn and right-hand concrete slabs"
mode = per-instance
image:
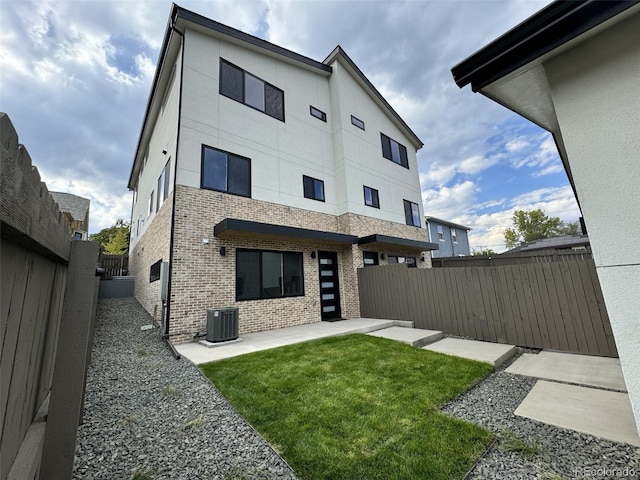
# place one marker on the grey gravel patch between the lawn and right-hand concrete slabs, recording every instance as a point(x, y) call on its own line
point(549, 452)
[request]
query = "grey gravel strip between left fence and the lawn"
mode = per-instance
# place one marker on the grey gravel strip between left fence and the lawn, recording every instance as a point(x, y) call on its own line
point(146, 412)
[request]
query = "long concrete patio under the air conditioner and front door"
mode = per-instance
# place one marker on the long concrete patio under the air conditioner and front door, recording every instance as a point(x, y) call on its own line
point(253, 342)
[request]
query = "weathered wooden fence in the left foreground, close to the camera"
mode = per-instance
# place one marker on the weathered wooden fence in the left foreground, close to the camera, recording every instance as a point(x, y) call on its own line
point(48, 299)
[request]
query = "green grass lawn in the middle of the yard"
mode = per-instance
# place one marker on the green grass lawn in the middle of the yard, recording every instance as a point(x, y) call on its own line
point(357, 407)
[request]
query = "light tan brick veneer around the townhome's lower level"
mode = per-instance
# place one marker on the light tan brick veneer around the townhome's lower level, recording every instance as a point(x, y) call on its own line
point(202, 278)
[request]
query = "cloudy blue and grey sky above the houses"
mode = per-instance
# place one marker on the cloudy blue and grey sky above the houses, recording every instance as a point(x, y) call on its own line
point(75, 77)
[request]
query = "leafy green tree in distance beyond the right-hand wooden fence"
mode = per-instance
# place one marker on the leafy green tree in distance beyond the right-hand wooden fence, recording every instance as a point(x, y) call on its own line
point(534, 225)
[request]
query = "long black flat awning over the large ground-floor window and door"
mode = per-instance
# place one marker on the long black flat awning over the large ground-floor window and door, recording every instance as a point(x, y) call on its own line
point(233, 228)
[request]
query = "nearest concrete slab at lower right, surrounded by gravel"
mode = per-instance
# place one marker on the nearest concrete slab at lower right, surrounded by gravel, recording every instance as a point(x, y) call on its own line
point(600, 413)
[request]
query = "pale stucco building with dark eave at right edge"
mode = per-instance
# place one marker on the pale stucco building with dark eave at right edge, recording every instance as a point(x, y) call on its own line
point(574, 69)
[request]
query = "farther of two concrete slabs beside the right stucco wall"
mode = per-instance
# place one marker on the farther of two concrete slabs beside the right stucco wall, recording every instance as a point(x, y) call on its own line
point(602, 372)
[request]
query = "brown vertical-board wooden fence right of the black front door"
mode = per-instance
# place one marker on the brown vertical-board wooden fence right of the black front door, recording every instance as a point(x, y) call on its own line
point(557, 305)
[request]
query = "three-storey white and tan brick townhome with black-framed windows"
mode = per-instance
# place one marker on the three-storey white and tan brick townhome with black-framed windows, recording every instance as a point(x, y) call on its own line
point(263, 180)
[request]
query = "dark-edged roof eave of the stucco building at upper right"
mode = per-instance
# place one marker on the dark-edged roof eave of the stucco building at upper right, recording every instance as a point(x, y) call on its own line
point(510, 70)
